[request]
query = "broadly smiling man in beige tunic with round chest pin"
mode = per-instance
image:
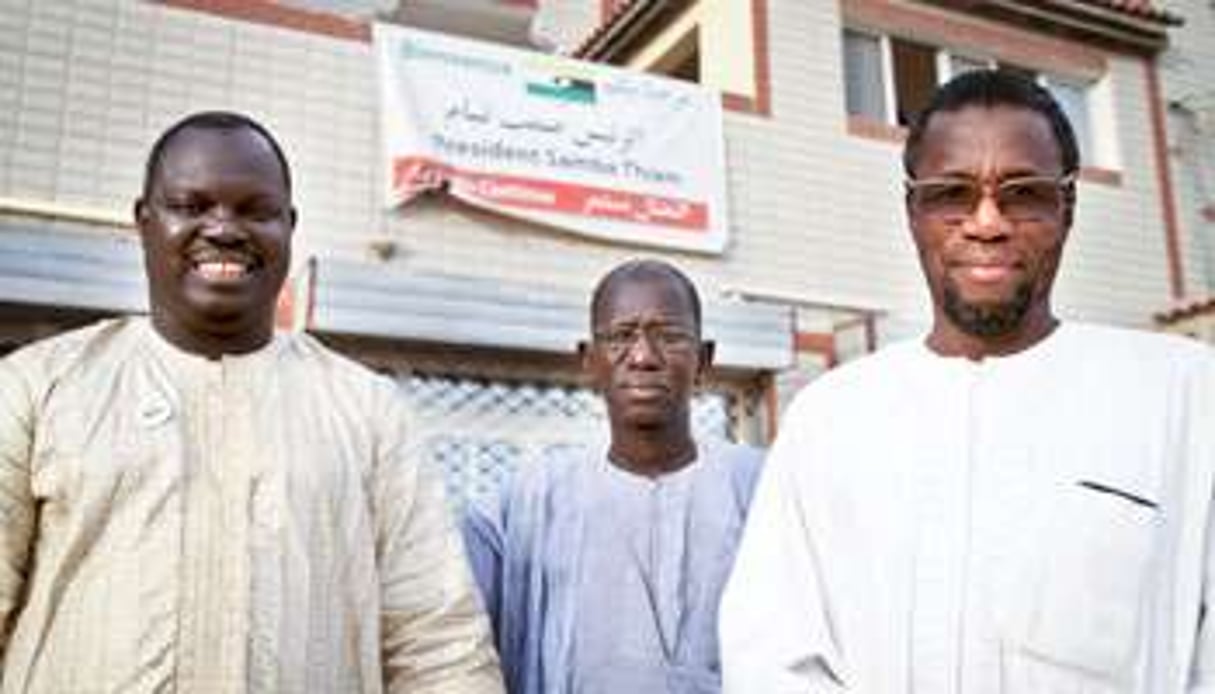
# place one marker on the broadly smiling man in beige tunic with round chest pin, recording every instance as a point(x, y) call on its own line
point(191, 503)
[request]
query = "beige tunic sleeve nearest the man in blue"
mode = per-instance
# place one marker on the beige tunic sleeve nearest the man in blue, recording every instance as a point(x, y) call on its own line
point(434, 634)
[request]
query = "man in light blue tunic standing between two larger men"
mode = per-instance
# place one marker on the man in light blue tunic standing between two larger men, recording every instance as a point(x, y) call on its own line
point(603, 572)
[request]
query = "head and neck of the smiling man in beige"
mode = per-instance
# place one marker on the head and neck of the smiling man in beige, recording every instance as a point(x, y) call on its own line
point(217, 221)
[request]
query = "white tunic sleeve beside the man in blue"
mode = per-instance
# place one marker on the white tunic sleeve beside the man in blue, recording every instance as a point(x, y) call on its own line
point(775, 624)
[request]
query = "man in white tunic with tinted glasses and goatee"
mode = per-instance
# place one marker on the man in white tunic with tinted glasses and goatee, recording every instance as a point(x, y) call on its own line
point(1011, 505)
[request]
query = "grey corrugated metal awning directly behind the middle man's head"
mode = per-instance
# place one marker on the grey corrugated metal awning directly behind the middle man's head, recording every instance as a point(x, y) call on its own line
point(372, 301)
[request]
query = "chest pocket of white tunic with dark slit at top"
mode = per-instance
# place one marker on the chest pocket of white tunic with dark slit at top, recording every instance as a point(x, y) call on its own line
point(1090, 586)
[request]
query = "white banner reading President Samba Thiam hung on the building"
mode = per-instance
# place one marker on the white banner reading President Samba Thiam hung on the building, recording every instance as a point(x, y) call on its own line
point(585, 148)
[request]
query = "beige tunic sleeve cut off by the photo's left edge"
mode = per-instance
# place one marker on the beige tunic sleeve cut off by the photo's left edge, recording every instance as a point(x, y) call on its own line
point(18, 506)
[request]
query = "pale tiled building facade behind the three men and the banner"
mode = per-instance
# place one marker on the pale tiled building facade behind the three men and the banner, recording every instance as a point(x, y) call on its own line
point(478, 313)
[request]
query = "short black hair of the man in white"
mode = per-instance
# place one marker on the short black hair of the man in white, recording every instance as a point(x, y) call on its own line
point(992, 88)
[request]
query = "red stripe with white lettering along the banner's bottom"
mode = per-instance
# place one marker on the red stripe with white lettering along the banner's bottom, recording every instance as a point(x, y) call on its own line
point(412, 176)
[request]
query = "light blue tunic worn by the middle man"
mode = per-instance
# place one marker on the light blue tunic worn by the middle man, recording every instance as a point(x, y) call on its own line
point(601, 580)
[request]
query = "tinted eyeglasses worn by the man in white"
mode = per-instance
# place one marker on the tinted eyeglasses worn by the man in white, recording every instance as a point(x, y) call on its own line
point(1020, 200)
